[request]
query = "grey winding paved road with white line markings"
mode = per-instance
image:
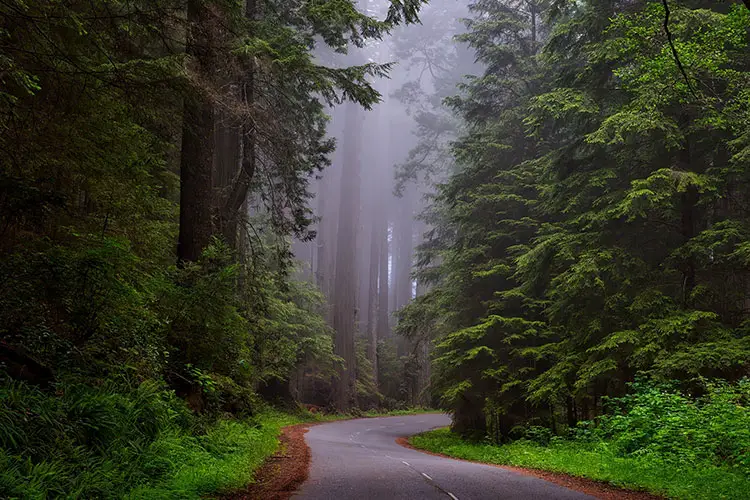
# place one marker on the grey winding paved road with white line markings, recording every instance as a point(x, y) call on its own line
point(360, 459)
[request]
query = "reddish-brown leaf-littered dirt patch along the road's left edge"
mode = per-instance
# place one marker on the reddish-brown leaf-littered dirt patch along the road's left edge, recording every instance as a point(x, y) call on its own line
point(284, 472)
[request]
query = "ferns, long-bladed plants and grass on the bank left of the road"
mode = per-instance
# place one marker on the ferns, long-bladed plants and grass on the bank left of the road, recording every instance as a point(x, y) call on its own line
point(108, 442)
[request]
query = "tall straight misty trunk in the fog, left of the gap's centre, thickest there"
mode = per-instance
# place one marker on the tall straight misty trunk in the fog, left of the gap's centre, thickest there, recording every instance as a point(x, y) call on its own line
point(345, 287)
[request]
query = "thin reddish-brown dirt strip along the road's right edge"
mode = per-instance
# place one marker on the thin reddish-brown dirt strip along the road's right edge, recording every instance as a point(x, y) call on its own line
point(590, 487)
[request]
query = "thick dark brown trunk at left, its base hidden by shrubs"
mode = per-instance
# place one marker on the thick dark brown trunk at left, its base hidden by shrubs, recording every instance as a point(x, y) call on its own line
point(198, 140)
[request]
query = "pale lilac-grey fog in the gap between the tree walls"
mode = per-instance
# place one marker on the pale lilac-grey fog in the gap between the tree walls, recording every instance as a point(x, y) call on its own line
point(388, 160)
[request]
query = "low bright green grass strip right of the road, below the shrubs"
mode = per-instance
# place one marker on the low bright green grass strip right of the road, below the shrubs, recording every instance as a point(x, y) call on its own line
point(597, 461)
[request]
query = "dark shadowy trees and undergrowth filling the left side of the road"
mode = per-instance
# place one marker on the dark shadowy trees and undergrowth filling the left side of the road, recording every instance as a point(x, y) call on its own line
point(154, 160)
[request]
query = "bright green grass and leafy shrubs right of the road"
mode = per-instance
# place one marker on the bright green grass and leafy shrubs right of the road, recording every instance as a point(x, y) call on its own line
point(656, 439)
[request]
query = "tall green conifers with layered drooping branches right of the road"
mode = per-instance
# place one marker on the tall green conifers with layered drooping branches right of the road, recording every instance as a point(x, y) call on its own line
point(594, 228)
